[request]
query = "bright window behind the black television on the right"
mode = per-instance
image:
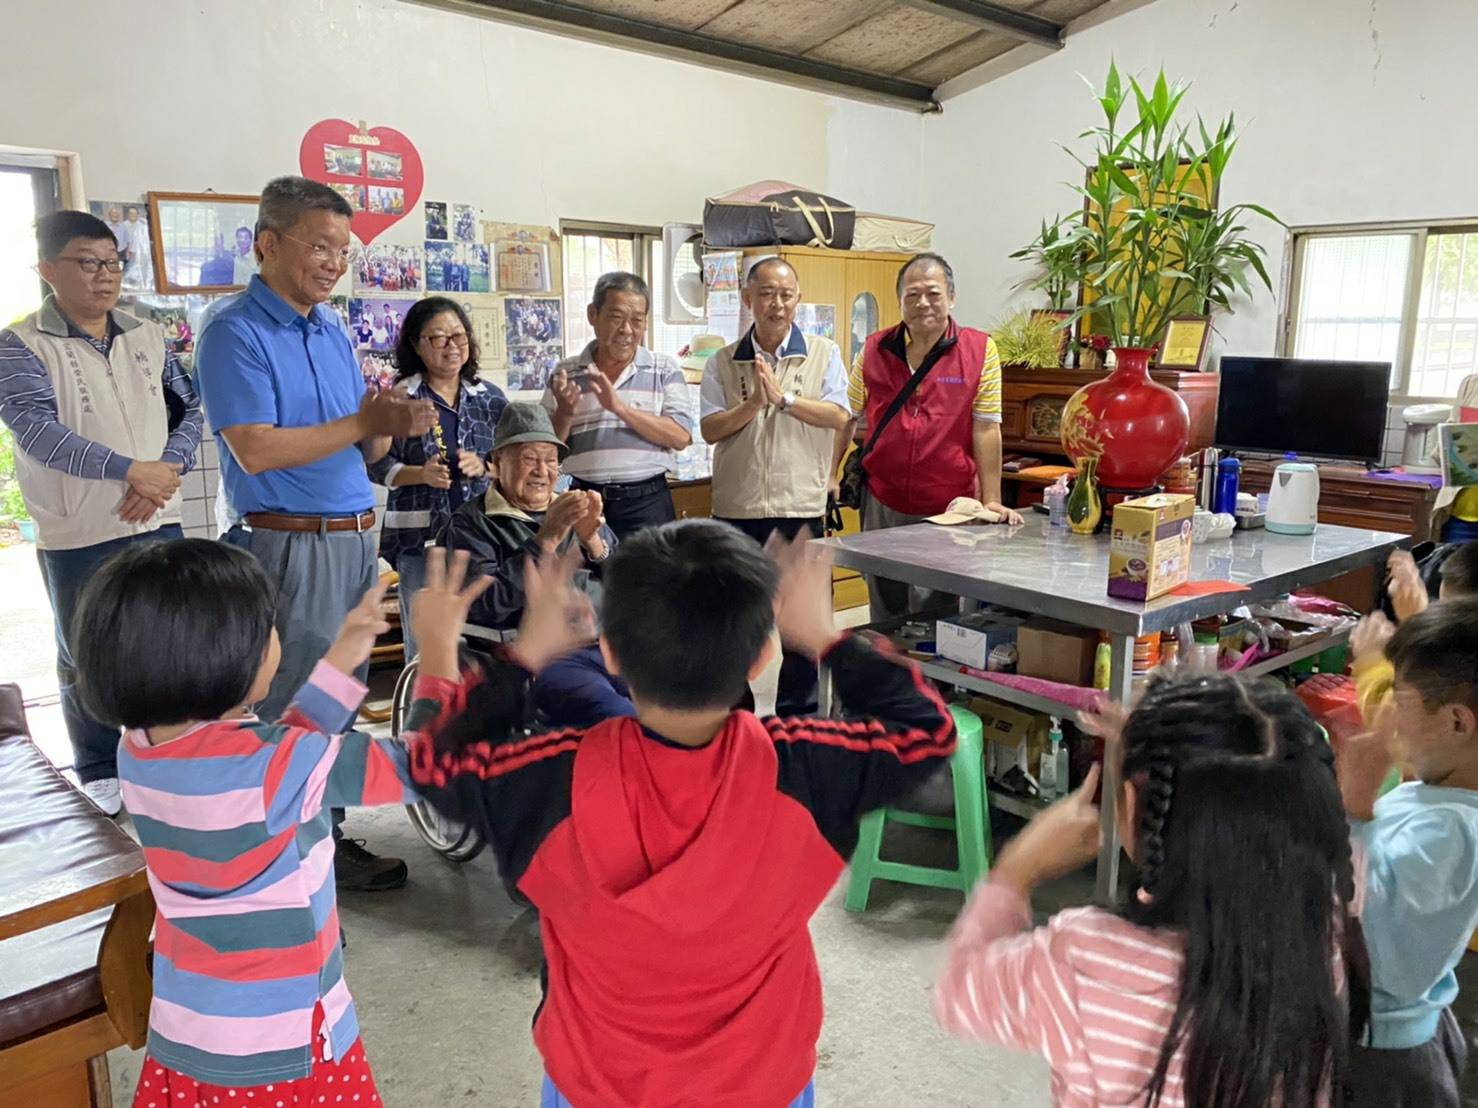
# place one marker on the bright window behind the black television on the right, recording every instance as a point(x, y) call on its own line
point(1400, 293)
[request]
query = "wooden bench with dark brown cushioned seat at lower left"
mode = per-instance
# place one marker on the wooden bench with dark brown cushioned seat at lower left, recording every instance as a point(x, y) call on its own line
point(75, 931)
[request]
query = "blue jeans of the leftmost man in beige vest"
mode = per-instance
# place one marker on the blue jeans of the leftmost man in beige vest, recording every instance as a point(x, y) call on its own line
point(95, 744)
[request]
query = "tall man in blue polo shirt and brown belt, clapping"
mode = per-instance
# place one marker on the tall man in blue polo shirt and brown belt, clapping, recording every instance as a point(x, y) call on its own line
point(296, 428)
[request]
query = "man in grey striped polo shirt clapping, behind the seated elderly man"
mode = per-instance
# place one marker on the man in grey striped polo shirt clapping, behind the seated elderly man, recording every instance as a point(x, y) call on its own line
point(623, 410)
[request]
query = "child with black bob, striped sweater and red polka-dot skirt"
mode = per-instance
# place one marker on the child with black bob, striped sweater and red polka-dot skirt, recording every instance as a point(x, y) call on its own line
point(251, 1005)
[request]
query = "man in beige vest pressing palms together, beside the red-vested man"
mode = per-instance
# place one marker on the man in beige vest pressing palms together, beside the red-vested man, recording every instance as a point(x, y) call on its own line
point(772, 406)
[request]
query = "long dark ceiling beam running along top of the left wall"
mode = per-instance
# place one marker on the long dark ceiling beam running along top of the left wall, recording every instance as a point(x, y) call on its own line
point(692, 47)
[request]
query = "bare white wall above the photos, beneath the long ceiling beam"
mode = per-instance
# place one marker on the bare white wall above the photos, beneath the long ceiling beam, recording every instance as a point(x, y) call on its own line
point(533, 128)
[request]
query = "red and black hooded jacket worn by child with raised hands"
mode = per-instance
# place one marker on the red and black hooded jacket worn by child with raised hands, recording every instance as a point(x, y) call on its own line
point(675, 884)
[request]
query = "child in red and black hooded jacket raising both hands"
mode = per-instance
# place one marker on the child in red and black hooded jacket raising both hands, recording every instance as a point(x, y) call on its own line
point(676, 858)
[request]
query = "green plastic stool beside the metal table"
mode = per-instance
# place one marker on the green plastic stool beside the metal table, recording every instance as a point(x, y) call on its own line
point(972, 827)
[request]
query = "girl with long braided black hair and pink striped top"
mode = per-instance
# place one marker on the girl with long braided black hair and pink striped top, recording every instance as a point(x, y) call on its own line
point(1222, 980)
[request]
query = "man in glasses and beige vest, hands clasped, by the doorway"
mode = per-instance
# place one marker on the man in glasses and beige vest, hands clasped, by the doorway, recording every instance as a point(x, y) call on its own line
point(106, 422)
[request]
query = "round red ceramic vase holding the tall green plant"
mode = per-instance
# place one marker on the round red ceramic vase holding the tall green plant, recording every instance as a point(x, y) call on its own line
point(1136, 428)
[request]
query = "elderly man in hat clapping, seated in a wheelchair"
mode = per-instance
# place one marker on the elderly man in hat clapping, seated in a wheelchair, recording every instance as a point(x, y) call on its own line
point(520, 516)
